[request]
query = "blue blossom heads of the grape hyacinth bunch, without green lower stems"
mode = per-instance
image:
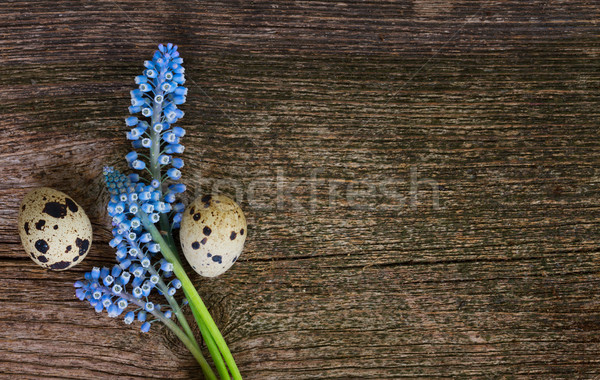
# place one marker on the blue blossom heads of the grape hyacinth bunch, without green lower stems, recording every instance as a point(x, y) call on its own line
point(125, 289)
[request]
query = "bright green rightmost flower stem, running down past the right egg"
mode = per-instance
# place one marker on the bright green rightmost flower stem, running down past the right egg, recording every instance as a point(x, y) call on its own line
point(192, 295)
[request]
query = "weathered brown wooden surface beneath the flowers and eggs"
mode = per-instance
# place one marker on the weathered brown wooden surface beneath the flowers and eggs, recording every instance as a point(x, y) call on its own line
point(326, 119)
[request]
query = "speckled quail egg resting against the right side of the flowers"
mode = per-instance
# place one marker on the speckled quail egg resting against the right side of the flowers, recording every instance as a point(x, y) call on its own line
point(213, 232)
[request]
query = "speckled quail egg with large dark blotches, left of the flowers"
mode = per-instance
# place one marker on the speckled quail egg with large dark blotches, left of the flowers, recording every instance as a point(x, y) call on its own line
point(55, 231)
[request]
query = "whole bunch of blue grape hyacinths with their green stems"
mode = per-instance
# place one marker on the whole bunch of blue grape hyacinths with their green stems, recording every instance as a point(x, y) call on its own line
point(141, 288)
